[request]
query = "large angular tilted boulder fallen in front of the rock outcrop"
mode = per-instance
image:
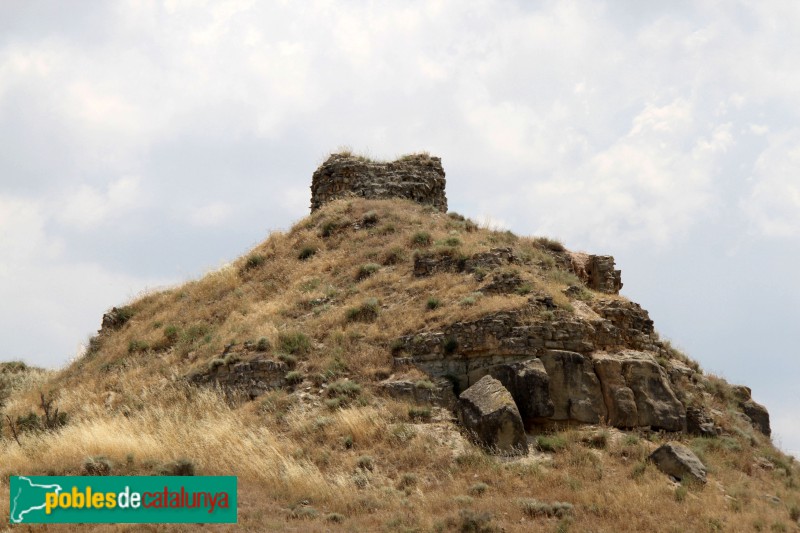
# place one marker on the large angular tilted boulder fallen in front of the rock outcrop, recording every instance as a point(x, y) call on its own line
point(488, 412)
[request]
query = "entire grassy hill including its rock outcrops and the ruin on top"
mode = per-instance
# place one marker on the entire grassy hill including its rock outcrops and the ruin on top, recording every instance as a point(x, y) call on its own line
point(324, 368)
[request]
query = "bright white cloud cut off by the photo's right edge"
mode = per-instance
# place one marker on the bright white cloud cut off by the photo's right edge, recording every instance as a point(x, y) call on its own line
point(772, 203)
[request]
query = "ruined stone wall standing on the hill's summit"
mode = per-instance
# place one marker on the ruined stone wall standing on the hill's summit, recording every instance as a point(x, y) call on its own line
point(416, 177)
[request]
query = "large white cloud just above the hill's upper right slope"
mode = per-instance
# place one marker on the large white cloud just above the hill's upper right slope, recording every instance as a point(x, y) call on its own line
point(651, 185)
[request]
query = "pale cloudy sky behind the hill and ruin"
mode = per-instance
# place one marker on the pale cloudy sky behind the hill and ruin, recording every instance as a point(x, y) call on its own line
point(144, 143)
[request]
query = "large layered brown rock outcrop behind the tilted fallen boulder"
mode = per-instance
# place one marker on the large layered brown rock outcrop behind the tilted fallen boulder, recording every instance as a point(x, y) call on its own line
point(601, 368)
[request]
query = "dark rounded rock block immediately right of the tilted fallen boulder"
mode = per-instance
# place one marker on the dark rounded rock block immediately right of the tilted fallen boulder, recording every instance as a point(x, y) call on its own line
point(529, 385)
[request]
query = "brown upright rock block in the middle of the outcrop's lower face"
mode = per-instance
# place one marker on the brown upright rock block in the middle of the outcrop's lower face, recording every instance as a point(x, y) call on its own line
point(574, 387)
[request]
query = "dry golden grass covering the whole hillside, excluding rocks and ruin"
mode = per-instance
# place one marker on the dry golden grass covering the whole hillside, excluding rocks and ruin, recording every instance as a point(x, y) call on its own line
point(328, 451)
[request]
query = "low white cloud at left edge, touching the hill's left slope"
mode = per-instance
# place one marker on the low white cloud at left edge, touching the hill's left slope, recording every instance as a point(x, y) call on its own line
point(49, 303)
